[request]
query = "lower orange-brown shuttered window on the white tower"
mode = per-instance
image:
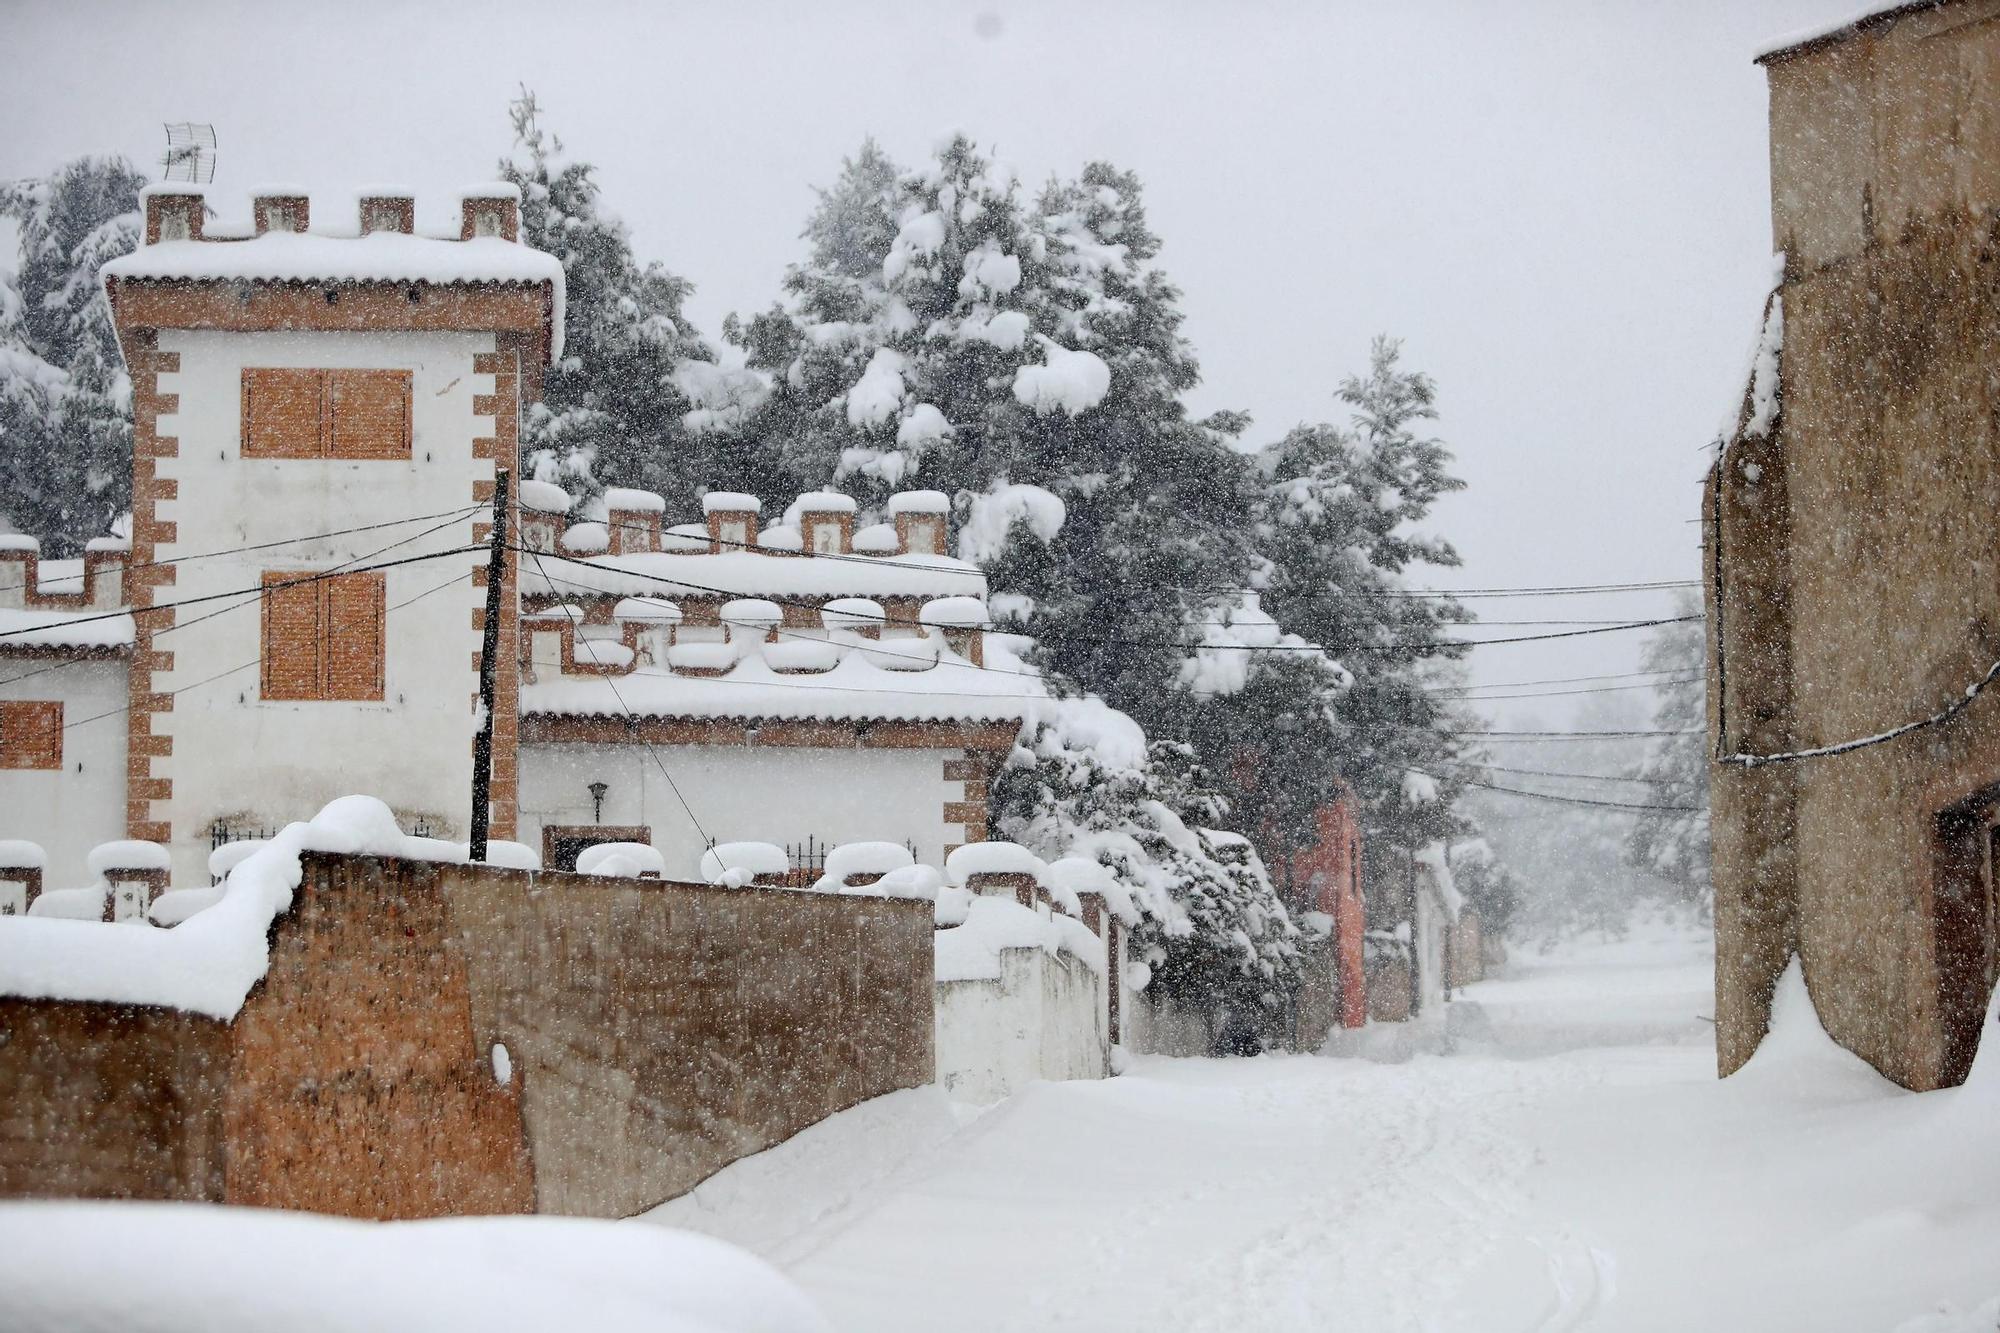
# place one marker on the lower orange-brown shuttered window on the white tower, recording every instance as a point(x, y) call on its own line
point(323, 641)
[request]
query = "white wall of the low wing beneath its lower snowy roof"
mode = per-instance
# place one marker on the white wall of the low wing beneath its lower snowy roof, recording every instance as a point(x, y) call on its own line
point(743, 794)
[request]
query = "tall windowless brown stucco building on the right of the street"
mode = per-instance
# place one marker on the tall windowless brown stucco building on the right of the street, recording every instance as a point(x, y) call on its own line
point(1855, 571)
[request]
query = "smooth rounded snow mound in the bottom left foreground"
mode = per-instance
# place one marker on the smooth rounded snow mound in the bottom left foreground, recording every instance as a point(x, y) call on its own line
point(191, 1268)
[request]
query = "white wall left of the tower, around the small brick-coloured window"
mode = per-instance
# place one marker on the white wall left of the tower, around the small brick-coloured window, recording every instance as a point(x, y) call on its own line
point(75, 808)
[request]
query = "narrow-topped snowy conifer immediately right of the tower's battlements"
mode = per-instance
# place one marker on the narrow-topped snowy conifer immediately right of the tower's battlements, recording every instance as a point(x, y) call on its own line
point(637, 399)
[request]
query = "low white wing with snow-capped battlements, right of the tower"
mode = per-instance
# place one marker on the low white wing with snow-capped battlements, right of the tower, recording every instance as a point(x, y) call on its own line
point(803, 684)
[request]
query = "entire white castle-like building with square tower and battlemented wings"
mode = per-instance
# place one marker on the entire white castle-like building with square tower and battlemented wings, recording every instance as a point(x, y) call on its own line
point(319, 413)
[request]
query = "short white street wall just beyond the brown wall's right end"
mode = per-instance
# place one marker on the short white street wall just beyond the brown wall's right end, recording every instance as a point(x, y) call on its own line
point(1043, 1020)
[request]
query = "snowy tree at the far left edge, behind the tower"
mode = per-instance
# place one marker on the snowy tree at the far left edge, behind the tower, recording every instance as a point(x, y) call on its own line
point(65, 397)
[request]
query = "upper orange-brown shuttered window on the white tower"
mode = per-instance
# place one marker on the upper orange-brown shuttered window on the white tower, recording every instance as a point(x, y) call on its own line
point(295, 413)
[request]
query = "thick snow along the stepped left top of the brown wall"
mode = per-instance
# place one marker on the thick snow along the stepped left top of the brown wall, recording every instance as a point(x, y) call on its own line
point(209, 964)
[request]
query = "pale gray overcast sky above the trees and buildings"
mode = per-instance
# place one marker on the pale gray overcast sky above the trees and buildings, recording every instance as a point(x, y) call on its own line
point(1561, 207)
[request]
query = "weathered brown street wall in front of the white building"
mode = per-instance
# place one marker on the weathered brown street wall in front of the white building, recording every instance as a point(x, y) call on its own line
point(655, 1034)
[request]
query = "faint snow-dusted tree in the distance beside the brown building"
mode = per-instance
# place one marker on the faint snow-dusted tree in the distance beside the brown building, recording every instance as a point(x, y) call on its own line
point(1673, 844)
